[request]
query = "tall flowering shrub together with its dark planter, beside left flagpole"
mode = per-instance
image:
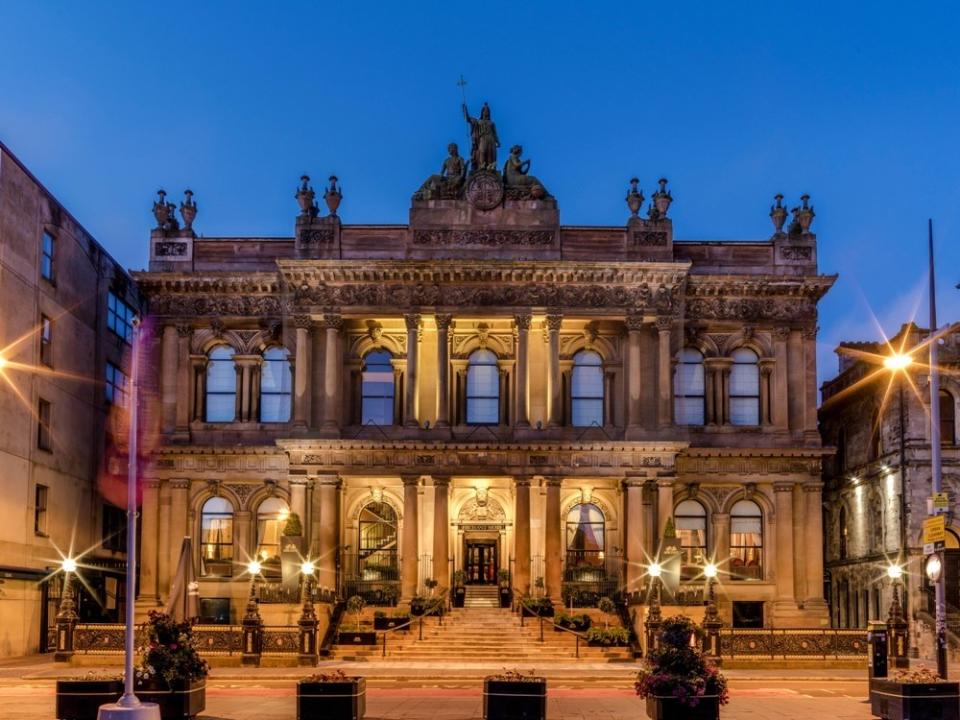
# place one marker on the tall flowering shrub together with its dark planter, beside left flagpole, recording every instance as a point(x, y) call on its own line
point(171, 672)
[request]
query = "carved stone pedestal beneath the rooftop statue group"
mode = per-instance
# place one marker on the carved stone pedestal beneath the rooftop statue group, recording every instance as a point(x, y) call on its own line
point(514, 230)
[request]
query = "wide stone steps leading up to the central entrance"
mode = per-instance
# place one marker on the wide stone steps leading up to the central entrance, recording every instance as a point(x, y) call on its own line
point(484, 635)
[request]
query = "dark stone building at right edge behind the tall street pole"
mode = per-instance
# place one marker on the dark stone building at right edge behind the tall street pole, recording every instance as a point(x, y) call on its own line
point(878, 482)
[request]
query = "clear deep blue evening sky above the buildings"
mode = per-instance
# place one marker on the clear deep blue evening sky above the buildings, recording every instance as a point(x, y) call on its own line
point(855, 103)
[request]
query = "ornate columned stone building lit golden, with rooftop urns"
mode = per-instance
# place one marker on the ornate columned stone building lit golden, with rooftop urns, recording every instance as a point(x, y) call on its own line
point(485, 390)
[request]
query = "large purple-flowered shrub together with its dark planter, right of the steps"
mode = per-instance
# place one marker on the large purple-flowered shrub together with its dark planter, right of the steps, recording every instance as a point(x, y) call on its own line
point(678, 682)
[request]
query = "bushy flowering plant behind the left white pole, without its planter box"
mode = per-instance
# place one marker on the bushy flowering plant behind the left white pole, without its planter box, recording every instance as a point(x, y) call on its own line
point(169, 651)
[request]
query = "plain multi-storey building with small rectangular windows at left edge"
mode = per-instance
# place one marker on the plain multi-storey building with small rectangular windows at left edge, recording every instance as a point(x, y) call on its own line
point(64, 323)
